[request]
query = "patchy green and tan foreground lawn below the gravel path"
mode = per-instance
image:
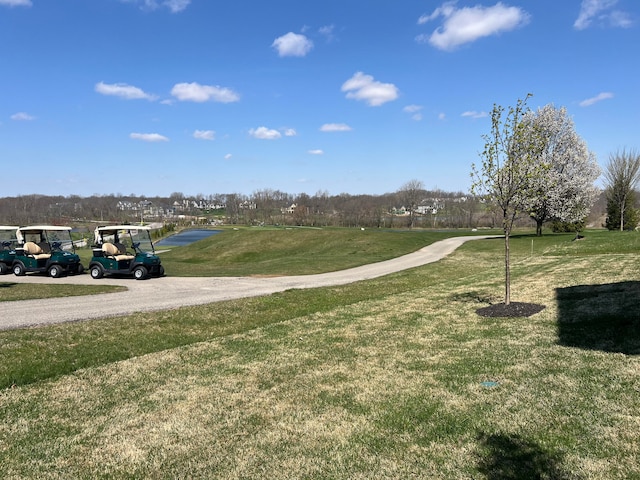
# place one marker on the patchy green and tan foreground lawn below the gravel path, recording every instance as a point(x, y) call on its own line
point(391, 378)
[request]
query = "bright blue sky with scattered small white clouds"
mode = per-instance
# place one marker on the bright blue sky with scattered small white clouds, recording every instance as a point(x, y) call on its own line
point(345, 96)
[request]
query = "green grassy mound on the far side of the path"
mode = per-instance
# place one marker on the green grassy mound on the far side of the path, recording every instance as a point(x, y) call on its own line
point(250, 251)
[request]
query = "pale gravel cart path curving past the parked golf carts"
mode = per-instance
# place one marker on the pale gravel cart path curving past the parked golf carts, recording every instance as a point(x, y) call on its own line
point(172, 292)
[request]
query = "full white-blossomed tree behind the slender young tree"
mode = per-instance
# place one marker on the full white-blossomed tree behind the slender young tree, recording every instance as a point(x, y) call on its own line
point(565, 189)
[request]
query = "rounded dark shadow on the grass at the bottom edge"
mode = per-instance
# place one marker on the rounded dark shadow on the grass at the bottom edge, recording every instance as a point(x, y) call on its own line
point(511, 457)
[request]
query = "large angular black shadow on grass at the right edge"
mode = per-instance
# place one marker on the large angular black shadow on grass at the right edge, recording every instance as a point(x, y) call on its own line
point(600, 317)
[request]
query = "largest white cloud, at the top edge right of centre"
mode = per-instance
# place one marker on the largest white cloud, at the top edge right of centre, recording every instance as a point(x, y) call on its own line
point(468, 24)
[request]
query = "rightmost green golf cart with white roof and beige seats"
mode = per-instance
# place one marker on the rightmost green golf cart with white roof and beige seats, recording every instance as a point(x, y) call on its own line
point(124, 250)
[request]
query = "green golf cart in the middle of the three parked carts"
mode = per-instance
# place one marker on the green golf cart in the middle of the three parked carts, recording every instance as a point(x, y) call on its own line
point(46, 249)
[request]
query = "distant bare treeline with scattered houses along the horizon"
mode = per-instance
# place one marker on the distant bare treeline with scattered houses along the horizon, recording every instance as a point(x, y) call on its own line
point(431, 209)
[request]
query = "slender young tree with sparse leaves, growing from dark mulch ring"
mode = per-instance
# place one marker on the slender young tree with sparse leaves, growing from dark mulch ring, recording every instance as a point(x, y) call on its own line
point(510, 171)
